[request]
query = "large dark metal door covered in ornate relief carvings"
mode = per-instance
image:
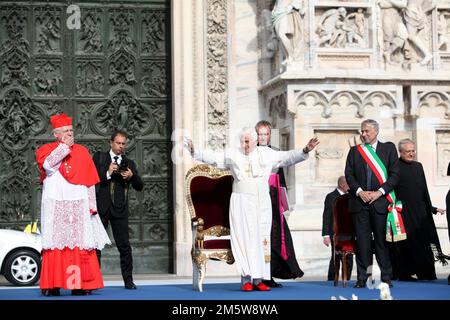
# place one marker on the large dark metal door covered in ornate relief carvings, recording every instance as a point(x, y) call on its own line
point(112, 72)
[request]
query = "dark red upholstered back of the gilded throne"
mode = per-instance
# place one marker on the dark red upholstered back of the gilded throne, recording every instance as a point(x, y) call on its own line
point(211, 199)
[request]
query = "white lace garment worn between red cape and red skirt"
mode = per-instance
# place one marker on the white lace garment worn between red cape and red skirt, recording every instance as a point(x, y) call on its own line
point(66, 219)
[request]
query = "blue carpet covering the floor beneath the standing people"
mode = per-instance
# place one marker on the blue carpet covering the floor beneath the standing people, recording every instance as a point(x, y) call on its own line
point(294, 290)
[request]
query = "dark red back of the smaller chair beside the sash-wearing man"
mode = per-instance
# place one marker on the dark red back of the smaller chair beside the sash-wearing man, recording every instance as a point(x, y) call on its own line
point(344, 234)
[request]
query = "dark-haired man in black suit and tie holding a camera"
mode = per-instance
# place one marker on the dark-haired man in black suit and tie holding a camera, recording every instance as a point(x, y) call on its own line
point(117, 173)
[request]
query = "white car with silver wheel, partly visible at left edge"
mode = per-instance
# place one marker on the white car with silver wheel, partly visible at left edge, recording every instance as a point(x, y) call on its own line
point(20, 257)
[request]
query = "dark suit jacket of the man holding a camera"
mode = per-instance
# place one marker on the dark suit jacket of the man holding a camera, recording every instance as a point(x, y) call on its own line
point(119, 208)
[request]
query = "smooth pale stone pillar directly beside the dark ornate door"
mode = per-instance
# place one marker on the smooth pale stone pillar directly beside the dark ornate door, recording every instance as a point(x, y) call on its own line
point(188, 113)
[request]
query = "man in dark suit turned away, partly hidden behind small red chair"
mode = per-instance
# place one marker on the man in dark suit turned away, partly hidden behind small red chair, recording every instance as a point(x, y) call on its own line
point(327, 228)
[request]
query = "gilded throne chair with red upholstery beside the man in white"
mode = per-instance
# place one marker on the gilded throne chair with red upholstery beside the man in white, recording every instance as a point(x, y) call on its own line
point(208, 192)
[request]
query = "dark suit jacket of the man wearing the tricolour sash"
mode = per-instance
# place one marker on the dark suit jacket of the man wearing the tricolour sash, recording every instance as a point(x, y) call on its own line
point(356, 176)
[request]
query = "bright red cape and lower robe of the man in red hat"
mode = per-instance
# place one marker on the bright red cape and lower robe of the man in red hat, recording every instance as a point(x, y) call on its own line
point(70, 268)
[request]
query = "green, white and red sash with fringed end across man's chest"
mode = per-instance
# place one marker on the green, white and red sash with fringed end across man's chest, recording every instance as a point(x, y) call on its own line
point(395, 230)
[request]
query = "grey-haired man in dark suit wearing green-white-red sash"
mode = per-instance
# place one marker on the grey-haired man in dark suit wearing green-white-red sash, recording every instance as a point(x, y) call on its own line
point(368, 203)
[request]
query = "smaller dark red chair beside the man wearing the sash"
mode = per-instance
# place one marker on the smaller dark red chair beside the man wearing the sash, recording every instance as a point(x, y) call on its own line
point(344, 236)
